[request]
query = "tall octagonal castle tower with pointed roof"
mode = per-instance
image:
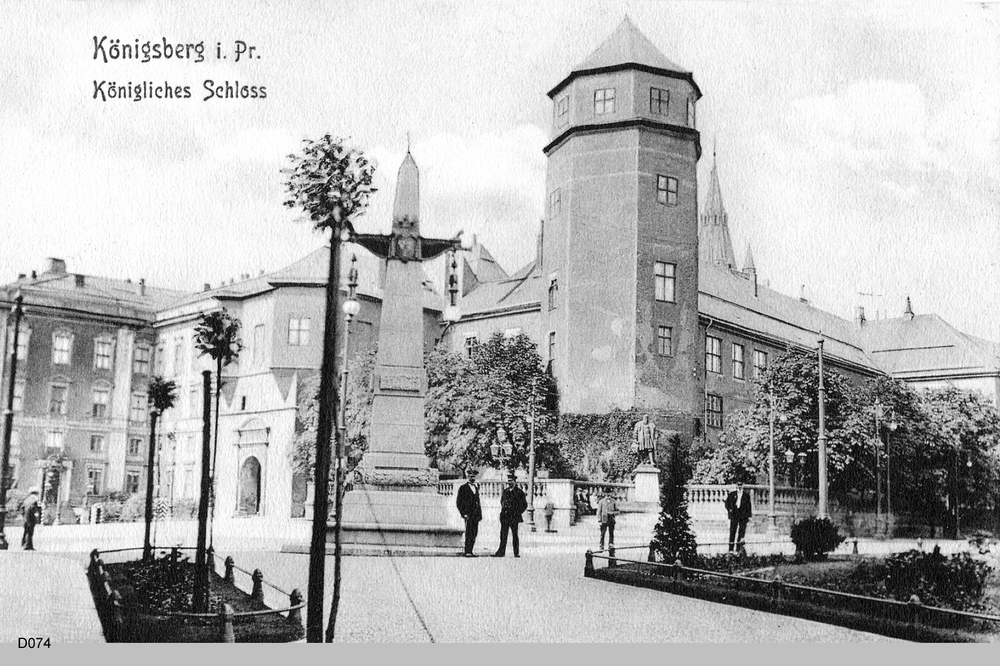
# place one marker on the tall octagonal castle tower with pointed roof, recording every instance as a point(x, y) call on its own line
point(621, 233)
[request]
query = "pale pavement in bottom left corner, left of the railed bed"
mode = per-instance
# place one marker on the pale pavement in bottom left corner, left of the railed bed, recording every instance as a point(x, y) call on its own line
point(43, 595)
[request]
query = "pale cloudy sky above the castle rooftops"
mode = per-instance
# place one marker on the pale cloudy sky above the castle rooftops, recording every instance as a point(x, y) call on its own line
point(858, 144)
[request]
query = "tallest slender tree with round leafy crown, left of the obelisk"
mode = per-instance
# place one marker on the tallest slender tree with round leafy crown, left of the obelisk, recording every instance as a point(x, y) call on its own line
point(331, 184)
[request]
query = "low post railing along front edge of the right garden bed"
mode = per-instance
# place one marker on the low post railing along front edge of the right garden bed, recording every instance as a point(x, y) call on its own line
point(912, 611)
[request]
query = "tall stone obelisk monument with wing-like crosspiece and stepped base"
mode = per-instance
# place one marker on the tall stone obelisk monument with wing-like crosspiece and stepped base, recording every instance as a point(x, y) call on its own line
point(395, 501)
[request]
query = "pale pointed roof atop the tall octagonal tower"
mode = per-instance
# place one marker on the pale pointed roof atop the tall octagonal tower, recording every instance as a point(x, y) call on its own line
point(627, 48)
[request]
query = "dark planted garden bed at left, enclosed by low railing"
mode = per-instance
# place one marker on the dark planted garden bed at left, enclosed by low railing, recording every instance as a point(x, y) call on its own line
point(151, 595)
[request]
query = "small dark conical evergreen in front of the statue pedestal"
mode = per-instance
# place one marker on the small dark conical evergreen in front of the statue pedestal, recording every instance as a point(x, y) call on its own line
point(672, 537)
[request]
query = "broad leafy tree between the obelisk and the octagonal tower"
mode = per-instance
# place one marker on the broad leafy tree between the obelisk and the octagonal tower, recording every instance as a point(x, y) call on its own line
point(489, 399)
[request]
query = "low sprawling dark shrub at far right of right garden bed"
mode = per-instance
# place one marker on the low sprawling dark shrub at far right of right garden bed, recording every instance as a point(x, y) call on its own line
point(953, 582)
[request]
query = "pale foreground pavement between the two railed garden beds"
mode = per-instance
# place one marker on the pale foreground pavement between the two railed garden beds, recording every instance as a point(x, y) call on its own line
point(533, 598)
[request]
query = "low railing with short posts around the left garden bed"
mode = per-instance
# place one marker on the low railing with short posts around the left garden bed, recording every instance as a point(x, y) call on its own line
point(110, 600)
